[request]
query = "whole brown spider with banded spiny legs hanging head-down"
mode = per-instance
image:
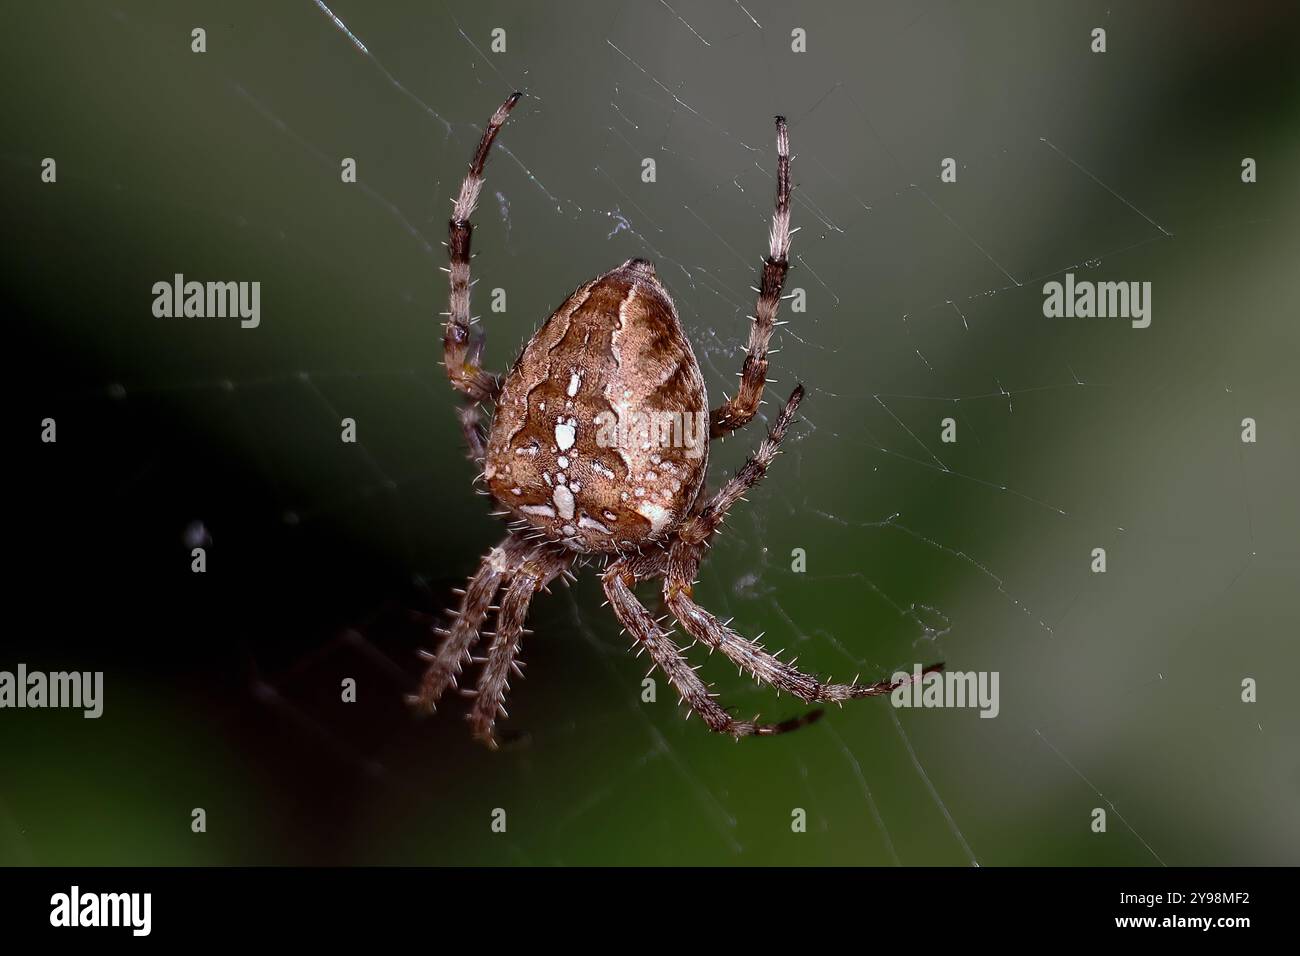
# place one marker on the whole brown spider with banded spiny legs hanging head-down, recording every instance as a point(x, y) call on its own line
point(614, 353)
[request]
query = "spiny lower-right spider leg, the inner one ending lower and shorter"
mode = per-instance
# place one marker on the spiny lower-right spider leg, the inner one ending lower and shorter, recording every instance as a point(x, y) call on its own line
point(639, 622)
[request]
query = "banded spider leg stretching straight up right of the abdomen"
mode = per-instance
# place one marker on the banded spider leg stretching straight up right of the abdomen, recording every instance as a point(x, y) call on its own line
point(738, 412)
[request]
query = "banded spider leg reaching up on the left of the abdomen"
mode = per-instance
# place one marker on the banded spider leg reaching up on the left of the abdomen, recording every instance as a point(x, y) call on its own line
point(463, 348)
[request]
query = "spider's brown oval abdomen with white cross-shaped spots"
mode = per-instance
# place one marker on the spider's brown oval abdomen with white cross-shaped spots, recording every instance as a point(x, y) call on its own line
point(601, 434)
